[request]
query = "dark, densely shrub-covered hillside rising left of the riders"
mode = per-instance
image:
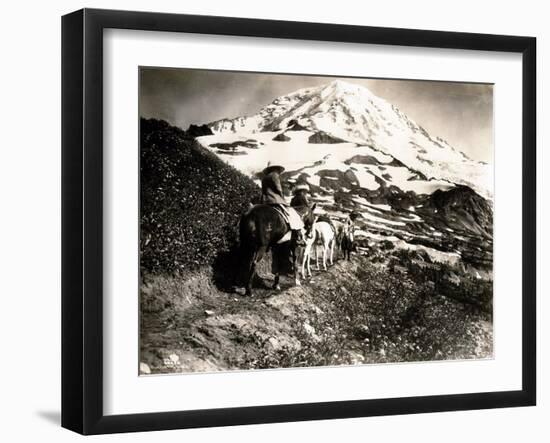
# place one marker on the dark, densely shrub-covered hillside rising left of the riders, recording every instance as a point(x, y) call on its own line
point(190, 204)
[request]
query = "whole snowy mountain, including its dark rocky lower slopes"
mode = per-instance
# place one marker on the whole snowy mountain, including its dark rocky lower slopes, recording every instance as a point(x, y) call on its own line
point(359, 152)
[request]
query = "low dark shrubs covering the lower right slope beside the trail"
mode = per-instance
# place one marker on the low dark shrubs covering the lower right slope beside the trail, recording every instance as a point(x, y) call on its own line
point(393, 317)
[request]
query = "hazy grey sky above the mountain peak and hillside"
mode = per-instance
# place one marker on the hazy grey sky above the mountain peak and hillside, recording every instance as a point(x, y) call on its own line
point(461, 113)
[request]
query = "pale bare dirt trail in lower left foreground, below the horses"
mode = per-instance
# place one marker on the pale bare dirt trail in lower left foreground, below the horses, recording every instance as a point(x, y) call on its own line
point(218, 331)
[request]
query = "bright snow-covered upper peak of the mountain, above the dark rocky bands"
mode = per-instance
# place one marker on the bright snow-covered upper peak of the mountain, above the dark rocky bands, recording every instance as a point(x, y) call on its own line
point(352, 113)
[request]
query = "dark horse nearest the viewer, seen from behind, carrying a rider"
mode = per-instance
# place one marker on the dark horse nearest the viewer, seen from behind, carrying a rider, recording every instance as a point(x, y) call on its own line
point(261, 228)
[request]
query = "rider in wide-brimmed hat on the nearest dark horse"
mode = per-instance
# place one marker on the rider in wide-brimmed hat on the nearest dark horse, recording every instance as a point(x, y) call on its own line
point(272, 194)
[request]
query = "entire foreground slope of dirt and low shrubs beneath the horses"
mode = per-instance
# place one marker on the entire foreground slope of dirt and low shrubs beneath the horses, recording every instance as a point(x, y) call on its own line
point(357, 312)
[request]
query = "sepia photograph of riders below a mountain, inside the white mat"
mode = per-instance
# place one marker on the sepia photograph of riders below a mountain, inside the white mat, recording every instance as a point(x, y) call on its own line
point(301, 221)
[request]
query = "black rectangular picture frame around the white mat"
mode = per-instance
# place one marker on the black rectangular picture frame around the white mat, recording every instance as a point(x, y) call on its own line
point(82, 218)
